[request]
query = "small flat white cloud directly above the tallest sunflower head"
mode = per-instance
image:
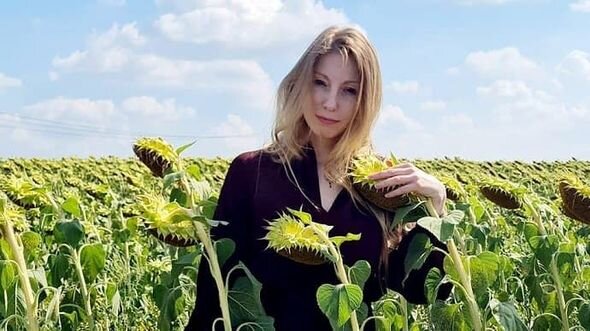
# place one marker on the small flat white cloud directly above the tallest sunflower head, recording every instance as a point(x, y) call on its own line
point(150, 107)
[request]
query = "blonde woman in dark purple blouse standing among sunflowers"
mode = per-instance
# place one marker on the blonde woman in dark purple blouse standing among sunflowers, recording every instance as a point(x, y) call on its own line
point(326, 108)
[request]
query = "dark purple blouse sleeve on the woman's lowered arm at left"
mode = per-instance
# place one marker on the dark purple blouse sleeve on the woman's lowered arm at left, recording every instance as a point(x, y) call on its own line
point(233, 207)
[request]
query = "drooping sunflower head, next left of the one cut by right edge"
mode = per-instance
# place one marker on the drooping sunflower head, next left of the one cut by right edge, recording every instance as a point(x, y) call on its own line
point(503, 193)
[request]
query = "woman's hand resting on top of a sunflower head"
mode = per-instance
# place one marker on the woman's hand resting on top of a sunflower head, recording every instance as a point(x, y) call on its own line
point(407, 178)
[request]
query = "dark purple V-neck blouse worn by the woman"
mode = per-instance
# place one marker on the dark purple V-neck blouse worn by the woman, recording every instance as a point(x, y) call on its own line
point(255, 190)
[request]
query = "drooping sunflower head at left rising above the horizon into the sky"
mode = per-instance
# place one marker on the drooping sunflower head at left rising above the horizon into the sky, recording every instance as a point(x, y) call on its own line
point(156, 154)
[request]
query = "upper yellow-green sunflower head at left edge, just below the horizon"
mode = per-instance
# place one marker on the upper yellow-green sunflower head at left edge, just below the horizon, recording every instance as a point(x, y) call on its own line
point(24, 193)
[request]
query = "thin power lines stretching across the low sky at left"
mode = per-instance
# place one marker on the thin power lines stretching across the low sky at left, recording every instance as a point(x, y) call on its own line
point(82, 130)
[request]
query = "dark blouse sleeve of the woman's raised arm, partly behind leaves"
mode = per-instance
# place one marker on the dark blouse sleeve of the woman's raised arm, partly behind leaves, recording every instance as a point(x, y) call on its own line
point(413, 288)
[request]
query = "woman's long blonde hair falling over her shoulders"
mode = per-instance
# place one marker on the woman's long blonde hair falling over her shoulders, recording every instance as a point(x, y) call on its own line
point(291, 132)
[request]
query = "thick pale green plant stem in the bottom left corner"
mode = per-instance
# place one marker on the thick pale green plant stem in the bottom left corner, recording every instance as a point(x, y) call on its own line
point(17, 251)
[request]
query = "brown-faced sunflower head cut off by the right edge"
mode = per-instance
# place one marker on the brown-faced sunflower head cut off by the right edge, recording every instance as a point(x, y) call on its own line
point(575, 197)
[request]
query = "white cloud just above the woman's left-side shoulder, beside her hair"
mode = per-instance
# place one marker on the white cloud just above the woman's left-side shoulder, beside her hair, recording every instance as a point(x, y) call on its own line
point(234, 125)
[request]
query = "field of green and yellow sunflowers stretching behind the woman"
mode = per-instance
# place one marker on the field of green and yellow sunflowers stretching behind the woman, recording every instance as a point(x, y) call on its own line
point(115, 244)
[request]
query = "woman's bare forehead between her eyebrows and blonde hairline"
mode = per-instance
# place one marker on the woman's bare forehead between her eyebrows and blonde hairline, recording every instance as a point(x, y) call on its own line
point(335, 68)
